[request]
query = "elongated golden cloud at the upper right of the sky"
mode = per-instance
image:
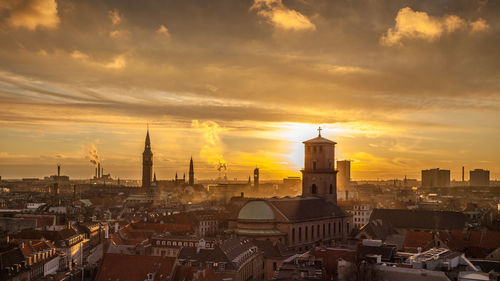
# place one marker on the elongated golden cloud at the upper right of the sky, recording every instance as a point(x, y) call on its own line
point(415, 24)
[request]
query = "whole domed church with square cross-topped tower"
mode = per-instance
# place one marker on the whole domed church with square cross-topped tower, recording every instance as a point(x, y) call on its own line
point(301, 222)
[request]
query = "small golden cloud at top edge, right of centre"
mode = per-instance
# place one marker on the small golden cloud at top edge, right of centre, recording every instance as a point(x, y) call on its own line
point(281, 17)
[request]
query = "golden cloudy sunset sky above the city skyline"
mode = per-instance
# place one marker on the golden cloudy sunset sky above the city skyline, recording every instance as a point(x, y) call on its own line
point(401, 86)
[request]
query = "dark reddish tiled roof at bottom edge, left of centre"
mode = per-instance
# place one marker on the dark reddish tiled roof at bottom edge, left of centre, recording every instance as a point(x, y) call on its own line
point(134, 267)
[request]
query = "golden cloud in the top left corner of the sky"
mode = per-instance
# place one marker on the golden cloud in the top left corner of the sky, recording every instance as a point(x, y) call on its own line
point(31, 14)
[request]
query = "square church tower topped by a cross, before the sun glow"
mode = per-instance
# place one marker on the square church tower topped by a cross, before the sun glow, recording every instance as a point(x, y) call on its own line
point(319, 177)
